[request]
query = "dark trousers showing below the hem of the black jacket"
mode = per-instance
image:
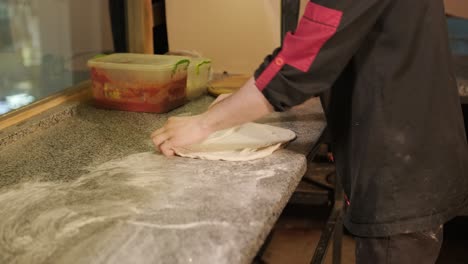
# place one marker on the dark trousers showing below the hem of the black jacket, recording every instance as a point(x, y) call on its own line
point(413, 248)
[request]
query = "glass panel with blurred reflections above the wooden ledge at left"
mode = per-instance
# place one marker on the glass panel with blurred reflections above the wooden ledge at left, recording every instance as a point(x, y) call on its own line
point(44, 46)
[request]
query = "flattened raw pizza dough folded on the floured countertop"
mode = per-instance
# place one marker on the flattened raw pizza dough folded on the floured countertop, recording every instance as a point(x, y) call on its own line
point(246, 142)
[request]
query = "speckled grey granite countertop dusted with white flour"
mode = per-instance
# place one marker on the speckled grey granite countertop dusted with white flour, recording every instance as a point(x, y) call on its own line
point(84, 185)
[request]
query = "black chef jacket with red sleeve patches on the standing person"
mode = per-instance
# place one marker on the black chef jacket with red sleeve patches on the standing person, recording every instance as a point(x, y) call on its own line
point(394, 113)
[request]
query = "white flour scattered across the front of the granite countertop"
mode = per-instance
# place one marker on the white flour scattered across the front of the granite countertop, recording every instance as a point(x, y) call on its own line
point(139, 209)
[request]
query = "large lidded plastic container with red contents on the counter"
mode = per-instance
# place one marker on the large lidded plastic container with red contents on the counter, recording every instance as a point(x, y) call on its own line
point(139, 82)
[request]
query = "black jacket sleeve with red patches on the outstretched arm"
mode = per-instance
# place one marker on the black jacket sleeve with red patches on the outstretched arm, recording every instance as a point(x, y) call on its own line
point(311, 59)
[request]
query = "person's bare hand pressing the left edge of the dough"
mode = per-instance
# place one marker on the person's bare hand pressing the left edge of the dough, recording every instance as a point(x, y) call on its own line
point(180, 131)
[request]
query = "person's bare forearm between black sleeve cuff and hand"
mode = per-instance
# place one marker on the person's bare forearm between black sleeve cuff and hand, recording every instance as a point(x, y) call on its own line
point(245, 105)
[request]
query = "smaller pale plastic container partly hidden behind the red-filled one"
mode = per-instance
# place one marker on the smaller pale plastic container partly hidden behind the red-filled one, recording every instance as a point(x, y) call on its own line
point(199, 74)
